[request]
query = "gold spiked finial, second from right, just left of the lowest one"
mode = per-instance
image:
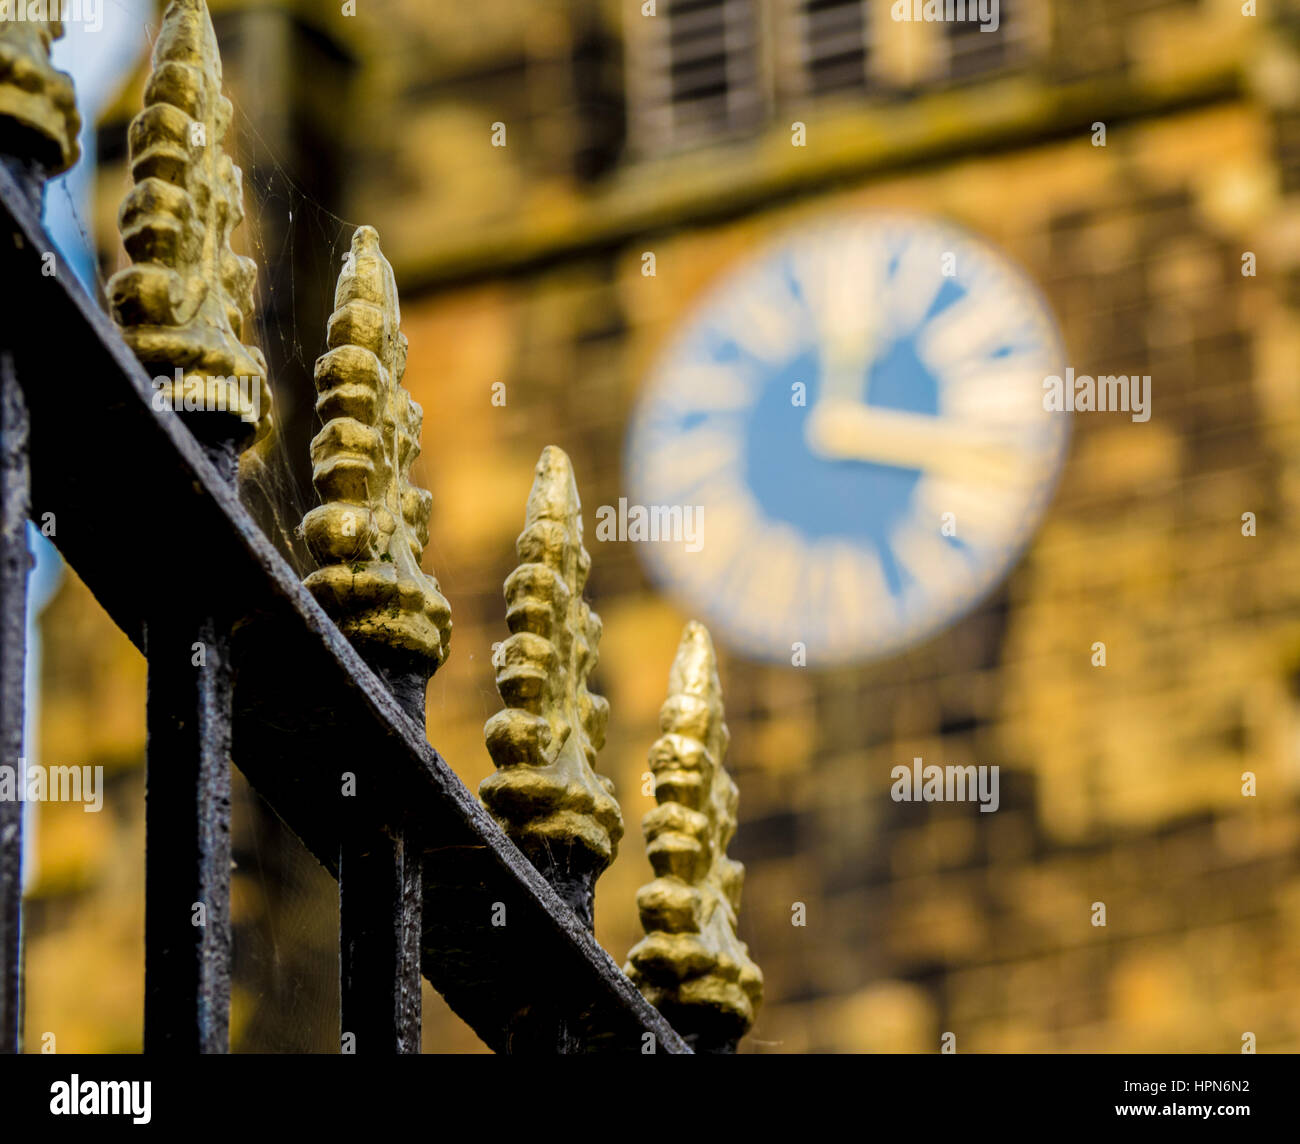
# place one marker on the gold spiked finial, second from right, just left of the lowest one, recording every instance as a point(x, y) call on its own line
point(547, 794)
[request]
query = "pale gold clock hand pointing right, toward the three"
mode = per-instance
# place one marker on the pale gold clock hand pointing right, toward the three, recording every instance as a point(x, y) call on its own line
point(851, 431)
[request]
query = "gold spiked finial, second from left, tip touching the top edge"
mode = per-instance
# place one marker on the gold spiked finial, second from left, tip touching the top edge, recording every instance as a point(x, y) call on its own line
point(184, 304)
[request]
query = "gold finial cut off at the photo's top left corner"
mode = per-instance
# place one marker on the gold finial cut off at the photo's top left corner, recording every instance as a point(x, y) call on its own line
point(38, 105)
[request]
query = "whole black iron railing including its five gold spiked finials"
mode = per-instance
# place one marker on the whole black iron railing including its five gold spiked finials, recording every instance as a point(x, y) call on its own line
point(317, 690)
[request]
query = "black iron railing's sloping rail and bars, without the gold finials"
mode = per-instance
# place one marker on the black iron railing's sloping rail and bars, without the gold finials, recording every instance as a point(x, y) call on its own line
point(83, 441)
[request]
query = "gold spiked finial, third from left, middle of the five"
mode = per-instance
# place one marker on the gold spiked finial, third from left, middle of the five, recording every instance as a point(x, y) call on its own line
point(371, 531)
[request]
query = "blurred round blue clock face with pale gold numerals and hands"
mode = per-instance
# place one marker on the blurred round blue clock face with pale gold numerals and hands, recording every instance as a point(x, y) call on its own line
point(855, 423)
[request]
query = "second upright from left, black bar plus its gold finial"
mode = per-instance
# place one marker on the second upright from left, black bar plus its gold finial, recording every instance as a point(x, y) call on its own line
point(196, 353)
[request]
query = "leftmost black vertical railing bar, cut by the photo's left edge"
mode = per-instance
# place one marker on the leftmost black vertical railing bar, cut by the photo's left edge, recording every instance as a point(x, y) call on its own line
point(15, 566)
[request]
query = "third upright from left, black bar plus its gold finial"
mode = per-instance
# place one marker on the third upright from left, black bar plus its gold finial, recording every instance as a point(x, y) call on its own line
point(370, 541)
